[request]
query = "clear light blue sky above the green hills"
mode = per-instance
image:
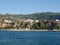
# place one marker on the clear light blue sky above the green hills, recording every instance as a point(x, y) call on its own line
point(29, 6)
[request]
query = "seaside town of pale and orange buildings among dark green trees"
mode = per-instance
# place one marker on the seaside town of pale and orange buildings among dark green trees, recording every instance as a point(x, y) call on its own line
point(29, 24)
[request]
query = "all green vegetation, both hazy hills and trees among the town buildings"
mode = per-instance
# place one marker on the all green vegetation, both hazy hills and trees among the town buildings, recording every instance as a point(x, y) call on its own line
point(36, 16)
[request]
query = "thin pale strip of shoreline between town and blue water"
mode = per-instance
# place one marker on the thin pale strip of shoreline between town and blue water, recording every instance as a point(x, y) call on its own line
point(29, 30)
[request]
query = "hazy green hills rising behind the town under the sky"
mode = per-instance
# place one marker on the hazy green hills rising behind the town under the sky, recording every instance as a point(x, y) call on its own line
point(35, 16)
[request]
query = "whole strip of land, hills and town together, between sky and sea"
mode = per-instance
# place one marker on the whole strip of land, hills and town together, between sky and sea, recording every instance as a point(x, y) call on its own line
point(39, 21)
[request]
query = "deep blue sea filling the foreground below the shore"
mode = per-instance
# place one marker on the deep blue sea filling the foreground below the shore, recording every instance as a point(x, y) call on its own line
point(29, 38)
